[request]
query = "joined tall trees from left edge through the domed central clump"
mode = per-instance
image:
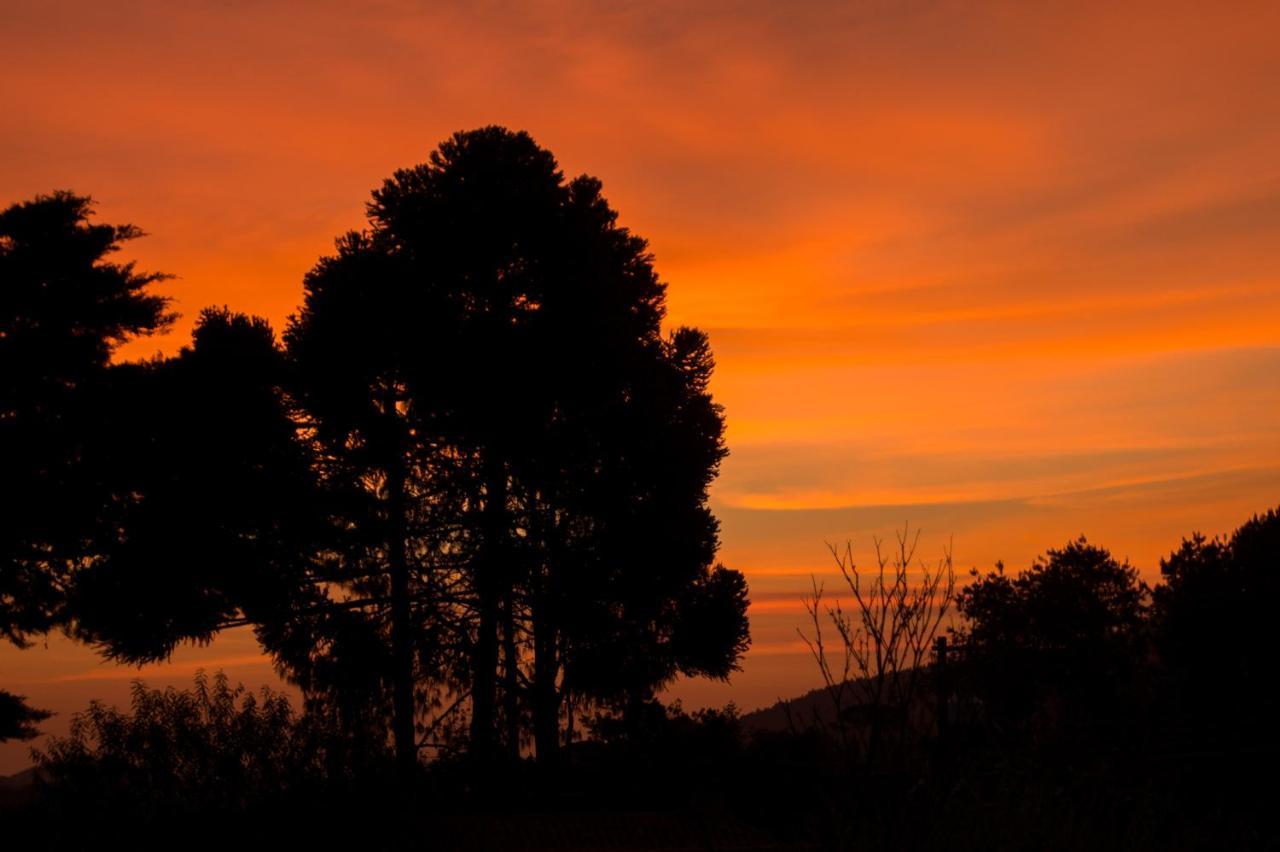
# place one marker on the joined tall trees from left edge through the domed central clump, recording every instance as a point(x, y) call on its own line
point(461, 502)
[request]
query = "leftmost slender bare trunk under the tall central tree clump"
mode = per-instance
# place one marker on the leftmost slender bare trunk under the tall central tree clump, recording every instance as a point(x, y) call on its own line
point(403, 639)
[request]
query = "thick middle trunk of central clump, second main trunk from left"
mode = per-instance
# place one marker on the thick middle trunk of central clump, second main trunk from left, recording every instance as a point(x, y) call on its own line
point(484, 661)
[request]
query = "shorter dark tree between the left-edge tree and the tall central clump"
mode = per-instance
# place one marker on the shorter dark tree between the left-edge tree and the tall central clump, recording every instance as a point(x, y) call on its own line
point(213, 515)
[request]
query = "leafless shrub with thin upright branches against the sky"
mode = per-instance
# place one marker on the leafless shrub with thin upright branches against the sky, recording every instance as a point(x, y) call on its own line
point(875, 668)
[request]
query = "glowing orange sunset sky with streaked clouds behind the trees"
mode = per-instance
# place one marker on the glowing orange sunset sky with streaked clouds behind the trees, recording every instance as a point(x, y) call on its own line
point(1005, 271)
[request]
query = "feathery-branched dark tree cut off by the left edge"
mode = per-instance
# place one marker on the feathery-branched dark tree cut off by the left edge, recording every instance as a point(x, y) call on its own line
point(65, 309)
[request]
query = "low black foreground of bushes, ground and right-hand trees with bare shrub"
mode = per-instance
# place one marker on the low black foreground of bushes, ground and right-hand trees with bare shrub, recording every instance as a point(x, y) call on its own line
point(1071, 708)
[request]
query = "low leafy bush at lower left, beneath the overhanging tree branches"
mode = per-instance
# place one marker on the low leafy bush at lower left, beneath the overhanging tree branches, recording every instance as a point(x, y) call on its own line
point(212, 750)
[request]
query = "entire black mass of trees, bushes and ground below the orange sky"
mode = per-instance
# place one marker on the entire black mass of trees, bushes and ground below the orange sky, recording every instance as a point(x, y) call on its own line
point(463, 503)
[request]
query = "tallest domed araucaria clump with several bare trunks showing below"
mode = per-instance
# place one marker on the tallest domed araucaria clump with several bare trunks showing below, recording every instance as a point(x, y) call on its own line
point(486, 365)
